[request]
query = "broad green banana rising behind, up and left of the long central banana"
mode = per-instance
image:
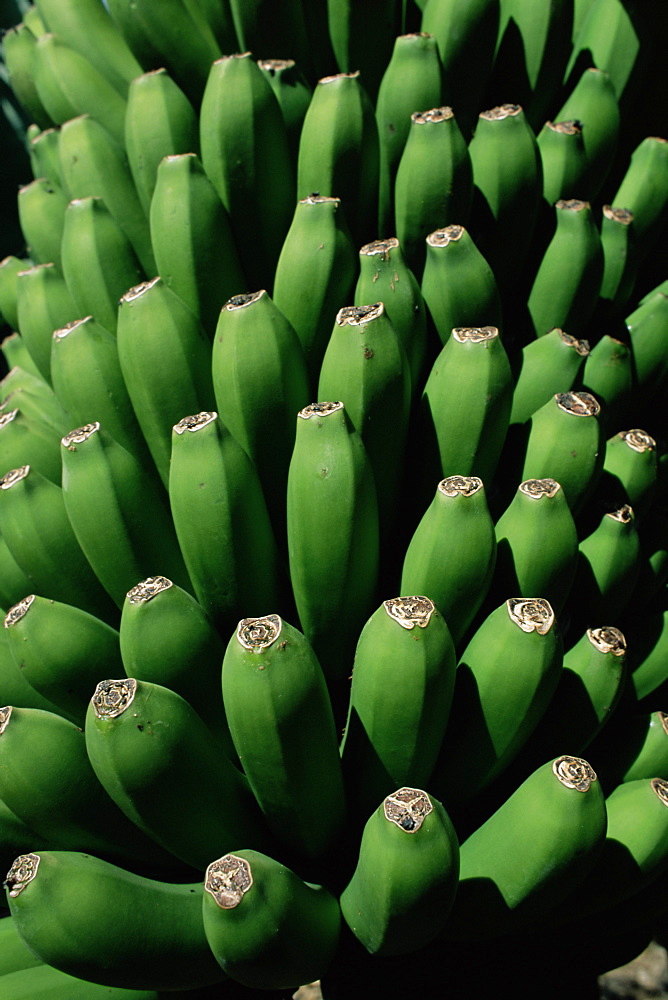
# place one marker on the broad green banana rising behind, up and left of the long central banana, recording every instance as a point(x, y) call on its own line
point(260, 381)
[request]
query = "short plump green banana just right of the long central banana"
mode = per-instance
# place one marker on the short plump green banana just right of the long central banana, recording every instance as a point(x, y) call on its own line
point(452, 553)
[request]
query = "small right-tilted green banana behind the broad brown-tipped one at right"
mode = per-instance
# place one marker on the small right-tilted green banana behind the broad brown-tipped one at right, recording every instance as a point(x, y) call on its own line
point(551, 363)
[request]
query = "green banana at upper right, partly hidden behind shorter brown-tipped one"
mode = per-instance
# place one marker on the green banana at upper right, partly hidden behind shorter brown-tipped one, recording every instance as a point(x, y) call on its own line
point(593, 104)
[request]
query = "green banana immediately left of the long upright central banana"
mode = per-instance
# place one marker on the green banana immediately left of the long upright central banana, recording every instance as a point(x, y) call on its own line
point(221, 520)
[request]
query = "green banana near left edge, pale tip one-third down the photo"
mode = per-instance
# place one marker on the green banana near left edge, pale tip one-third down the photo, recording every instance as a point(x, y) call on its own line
point(87, 378)
